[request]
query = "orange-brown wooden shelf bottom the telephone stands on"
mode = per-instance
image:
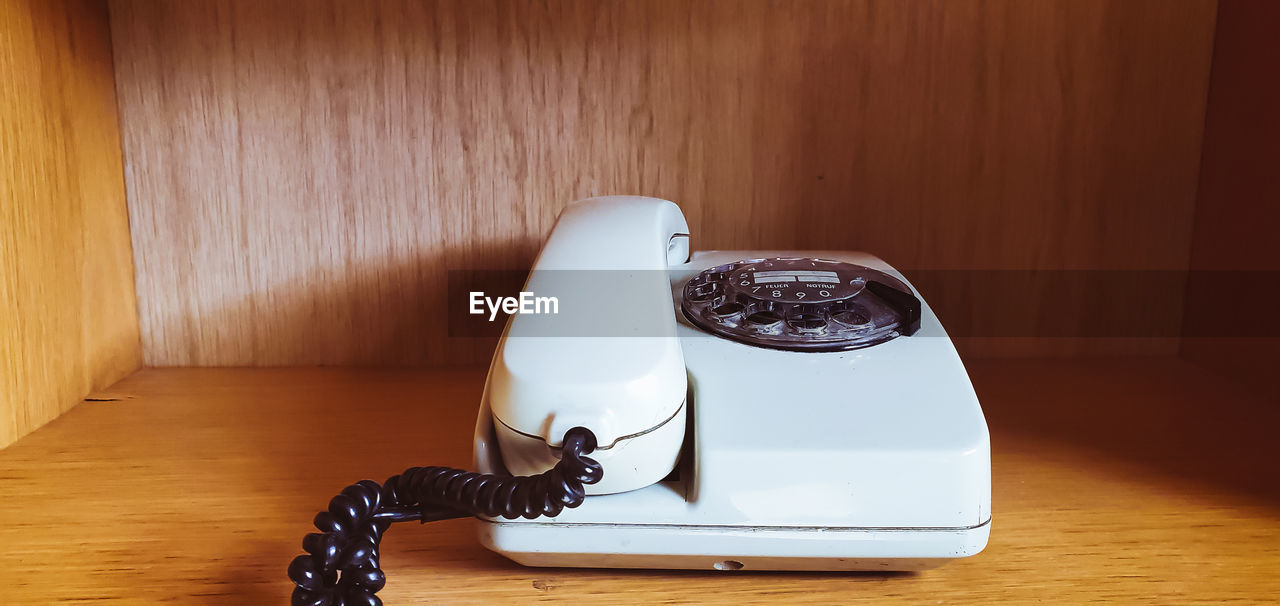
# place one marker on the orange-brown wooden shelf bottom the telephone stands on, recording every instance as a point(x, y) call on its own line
point(1130, 481)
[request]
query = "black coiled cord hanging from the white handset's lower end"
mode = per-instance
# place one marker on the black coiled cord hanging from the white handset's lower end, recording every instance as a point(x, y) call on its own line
point(341, 563)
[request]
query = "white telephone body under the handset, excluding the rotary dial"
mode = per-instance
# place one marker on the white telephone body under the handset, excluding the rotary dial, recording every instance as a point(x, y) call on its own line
point(868, 459)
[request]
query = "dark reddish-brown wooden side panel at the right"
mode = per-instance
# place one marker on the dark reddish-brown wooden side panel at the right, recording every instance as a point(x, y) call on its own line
point(1238, 207)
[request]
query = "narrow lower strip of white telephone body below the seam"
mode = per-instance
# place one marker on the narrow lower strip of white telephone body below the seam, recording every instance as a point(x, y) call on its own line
point(729, 548)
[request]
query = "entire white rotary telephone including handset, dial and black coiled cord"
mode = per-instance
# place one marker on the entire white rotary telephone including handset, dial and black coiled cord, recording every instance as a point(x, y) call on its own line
point(769, 411)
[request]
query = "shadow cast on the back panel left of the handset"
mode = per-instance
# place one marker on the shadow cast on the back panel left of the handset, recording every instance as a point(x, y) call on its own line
point(385, 313)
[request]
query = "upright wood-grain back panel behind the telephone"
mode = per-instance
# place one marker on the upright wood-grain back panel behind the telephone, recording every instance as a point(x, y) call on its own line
point(301, 176)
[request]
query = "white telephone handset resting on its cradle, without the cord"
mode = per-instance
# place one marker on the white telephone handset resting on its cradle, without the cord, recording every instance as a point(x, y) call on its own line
point(624, 377)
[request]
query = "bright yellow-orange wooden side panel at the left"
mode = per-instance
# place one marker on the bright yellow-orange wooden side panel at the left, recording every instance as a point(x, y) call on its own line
point(68, 322)
